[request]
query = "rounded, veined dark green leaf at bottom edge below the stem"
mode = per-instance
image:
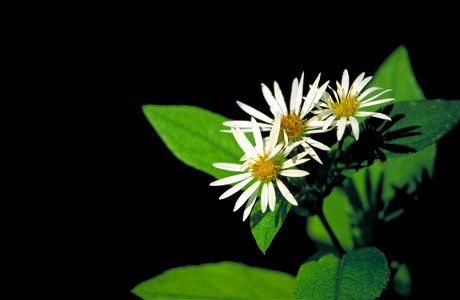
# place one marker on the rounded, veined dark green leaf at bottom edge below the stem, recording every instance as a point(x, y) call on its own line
point(360, 274)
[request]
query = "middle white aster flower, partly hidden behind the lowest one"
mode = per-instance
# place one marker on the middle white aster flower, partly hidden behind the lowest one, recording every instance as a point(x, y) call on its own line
point(293, 121)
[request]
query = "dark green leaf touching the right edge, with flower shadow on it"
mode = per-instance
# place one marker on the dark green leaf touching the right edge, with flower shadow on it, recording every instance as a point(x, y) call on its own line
point(435, 118)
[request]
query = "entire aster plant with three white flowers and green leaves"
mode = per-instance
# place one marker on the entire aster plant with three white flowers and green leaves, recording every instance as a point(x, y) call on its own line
point(344, 138)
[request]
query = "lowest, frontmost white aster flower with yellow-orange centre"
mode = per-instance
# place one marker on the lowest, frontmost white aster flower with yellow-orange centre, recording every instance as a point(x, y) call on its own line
point(264, 166)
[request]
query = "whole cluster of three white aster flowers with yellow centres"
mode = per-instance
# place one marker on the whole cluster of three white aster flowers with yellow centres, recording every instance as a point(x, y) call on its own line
point(265, 164)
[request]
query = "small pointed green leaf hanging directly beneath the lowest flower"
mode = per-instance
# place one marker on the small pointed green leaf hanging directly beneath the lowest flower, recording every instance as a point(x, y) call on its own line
point(265, 226)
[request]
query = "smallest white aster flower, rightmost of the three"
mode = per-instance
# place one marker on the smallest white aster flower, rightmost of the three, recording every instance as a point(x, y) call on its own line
point(348, 102)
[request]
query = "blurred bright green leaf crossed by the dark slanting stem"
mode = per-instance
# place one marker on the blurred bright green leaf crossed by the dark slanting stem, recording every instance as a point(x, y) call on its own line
point(337, 210)
